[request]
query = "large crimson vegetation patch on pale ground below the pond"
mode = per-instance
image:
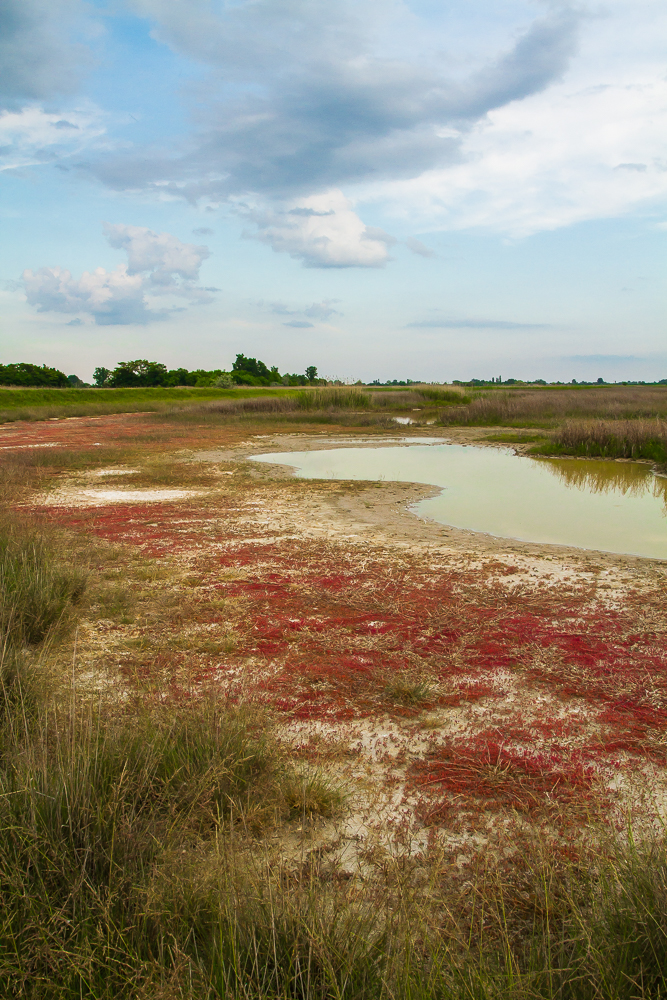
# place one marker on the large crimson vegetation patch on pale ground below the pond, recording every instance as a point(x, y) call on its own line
point(568, 690)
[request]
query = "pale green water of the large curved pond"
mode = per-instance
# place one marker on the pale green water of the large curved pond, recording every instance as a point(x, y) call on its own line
point(611, 506)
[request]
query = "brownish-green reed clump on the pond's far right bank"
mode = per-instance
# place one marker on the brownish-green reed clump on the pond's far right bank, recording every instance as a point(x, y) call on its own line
point(611, 439)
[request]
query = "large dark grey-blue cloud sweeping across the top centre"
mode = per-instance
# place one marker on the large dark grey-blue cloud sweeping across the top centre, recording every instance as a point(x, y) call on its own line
point(304, 96)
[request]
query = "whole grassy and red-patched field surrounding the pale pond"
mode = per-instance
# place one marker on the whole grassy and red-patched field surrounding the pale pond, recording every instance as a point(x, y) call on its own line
point(268, 738)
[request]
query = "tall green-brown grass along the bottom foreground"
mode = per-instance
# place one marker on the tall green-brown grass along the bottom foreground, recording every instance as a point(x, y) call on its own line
point(127, 870)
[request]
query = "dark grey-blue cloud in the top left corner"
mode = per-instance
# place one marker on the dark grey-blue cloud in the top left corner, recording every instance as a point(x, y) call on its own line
point(38, 58)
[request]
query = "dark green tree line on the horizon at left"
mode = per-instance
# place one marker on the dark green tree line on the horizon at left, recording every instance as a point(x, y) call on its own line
point(147, 374)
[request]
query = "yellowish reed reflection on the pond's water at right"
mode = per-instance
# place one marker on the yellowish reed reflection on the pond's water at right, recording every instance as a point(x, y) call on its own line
point(625, 478)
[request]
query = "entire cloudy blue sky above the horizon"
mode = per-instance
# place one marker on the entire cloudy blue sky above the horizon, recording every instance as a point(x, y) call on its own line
point(385, 189)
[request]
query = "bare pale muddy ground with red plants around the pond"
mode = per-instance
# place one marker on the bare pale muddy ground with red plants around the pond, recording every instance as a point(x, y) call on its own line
point(459, 687)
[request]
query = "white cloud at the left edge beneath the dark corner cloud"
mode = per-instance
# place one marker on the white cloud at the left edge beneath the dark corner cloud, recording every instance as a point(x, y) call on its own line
point(32, 136)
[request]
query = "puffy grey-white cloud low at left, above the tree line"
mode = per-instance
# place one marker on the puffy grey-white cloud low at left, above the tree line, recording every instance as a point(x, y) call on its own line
point(159, 264)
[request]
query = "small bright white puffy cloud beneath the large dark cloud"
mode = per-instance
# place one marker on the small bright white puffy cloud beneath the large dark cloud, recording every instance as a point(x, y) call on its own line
point(322, 231)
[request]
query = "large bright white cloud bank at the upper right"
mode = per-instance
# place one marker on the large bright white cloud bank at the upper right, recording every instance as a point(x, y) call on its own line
point(590, 147)
